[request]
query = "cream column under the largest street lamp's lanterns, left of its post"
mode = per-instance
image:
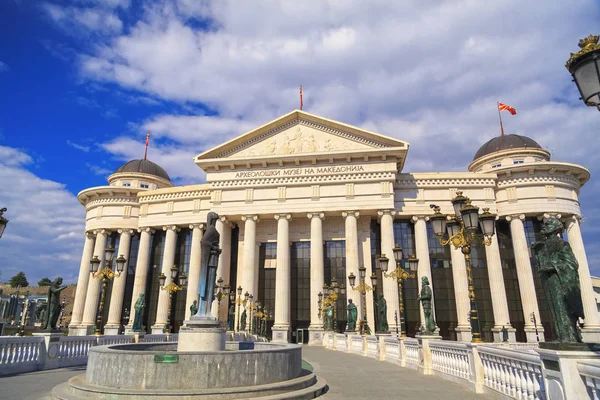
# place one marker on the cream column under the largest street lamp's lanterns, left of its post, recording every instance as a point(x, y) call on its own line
point(461, 294)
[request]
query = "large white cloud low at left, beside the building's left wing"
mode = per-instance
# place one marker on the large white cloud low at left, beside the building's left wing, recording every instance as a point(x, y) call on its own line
point(42, 214)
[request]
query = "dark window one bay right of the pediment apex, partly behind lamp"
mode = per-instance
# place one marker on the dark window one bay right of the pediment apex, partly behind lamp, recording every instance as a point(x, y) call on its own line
point(335, 265)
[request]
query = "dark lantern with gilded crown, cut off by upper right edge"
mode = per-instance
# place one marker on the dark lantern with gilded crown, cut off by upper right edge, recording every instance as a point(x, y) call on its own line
point(584, 66)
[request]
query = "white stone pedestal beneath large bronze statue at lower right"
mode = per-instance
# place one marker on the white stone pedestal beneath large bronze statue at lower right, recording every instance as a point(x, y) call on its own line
point(559, 367)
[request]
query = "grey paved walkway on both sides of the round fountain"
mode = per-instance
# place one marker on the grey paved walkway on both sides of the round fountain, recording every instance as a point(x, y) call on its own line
point(349, 376)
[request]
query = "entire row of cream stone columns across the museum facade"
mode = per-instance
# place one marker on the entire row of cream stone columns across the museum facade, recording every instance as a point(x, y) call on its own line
point(86, 300)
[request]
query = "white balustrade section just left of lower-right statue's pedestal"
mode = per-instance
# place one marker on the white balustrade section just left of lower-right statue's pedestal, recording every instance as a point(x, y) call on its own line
point(516, 374)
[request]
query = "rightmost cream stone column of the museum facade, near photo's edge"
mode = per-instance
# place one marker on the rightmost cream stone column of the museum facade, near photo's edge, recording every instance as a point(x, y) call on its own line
point(591, 327)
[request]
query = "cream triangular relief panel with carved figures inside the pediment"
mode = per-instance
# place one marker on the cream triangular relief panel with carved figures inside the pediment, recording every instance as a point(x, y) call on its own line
point(300, 140)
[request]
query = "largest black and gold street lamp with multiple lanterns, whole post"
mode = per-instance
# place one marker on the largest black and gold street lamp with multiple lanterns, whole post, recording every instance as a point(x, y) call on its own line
point(461, 230)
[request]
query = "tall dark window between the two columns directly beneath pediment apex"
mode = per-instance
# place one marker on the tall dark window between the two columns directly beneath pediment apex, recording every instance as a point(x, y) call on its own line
point(300, 296)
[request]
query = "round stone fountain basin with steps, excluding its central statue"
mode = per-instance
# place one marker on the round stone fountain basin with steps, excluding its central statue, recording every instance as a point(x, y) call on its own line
point(157, 370)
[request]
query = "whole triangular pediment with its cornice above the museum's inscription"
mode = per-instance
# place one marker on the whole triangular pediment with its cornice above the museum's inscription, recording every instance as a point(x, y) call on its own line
point(300, 135)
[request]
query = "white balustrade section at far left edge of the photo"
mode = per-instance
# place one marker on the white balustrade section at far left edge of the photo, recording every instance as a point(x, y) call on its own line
point(20, 354)
